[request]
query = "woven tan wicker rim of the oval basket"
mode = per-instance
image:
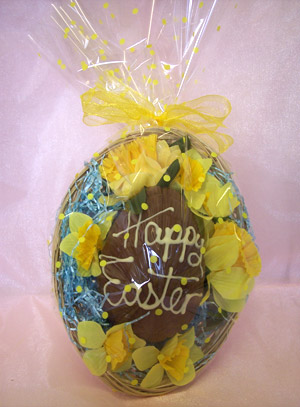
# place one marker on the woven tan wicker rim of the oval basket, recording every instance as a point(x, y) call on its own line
point(221, 332)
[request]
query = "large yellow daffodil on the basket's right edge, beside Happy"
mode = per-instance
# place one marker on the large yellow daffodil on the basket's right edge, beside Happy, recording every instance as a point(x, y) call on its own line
point(233, 261)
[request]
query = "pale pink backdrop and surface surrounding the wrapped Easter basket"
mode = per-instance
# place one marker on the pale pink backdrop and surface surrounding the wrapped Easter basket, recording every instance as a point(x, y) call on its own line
point(255, 62)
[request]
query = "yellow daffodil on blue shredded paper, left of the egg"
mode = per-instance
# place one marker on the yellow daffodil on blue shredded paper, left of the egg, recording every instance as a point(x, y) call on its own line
point(84, 240)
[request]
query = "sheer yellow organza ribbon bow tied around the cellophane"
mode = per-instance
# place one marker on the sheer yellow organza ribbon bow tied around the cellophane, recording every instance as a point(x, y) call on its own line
point(119, 103)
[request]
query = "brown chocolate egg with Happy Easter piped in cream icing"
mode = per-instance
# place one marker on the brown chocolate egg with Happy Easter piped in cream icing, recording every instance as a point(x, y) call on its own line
point(152, 266)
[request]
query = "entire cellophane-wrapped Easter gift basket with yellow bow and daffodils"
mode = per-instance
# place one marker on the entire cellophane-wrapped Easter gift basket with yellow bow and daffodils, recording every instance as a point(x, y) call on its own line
point(153, 254)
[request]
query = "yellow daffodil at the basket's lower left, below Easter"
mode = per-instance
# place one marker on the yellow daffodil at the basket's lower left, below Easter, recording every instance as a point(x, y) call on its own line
point(114, 348)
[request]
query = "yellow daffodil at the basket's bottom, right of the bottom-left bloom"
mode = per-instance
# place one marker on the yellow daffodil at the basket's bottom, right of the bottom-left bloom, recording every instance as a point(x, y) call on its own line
point(176, 358)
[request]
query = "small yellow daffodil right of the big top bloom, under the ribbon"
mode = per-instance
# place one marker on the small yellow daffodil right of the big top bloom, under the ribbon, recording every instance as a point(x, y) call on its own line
point(193, 171)
